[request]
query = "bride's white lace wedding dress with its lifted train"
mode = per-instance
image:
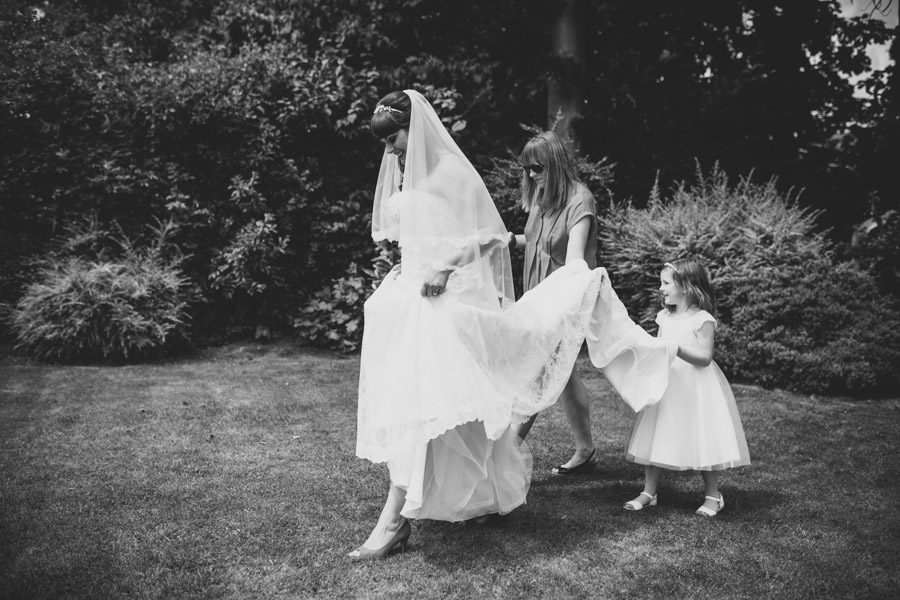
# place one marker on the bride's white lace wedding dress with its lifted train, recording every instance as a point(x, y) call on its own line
point(442, 378)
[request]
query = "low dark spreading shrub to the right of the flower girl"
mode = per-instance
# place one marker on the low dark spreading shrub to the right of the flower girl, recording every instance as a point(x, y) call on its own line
point(819, 327)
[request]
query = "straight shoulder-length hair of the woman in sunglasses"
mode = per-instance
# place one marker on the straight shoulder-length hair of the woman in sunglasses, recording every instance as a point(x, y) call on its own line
point(560, 180)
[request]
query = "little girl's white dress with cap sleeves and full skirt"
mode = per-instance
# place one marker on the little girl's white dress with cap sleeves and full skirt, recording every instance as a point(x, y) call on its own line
point(696, 424)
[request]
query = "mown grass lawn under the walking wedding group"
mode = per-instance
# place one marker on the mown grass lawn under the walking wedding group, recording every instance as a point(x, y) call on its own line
point(232, 475)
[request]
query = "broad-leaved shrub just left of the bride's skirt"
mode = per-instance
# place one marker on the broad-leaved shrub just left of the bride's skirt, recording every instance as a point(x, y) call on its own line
point(333, 317)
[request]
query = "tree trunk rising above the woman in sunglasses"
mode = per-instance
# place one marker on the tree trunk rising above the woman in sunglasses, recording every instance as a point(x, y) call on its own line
point(565, 89)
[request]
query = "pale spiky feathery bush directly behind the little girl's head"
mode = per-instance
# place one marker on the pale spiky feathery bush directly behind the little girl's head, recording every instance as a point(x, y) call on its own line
point(733, 229)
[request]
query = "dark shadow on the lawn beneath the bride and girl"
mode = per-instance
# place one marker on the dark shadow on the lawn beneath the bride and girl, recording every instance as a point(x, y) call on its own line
point(566, 515)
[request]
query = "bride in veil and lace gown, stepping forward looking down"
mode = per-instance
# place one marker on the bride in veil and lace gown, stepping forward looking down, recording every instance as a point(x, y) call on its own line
point(449, 362)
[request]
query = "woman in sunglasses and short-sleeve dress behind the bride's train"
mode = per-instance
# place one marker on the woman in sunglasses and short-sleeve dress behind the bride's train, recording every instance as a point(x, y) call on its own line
point(561, 228)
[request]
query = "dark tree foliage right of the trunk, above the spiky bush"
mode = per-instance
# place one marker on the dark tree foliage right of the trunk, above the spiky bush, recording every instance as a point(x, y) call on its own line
point(757, 86)
